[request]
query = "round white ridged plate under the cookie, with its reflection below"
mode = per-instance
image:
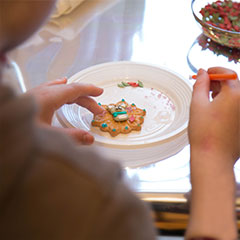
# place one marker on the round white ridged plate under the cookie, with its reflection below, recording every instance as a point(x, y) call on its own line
point(166, 97)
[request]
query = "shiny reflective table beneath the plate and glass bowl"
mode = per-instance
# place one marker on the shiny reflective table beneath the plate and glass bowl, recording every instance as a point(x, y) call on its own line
point(163, 33)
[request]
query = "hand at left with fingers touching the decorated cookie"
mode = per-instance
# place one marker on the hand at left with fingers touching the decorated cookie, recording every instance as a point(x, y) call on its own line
point(52, 95)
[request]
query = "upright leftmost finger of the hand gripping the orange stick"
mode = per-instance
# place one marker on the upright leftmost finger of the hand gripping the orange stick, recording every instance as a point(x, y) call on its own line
point(201, 87)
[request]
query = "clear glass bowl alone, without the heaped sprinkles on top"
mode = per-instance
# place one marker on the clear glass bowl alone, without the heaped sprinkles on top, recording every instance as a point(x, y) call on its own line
point(217, 34)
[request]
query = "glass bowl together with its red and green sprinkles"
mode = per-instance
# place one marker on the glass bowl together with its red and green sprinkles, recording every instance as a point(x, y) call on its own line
point(219, 20)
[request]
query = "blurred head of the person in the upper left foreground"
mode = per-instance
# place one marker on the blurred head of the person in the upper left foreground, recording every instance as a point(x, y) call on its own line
point(19, 19)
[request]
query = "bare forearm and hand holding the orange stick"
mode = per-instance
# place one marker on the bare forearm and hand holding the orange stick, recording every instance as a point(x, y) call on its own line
point(214, 139)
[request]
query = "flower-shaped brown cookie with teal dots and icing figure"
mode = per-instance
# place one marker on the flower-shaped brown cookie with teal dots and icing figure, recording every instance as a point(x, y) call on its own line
point(120, 118)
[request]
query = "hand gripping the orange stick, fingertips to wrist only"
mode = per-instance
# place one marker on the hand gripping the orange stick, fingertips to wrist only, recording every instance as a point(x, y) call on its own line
point(214, 125)
